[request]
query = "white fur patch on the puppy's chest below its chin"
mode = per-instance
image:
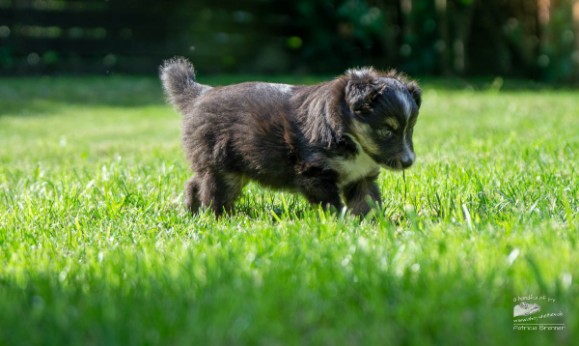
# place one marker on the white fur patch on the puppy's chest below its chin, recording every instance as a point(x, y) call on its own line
point(356, 168)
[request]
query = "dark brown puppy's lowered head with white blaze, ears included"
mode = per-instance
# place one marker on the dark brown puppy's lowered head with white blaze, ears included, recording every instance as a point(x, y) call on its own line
point(383, 109)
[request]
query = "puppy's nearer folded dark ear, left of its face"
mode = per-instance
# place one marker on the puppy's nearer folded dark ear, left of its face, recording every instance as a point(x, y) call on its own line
point(362, 88)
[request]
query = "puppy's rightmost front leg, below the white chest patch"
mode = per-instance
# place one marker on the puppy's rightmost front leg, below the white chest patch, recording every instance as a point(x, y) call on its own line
point(359, 193)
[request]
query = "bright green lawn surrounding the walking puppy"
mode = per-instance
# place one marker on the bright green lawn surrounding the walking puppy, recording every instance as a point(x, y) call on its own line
point(96, 247)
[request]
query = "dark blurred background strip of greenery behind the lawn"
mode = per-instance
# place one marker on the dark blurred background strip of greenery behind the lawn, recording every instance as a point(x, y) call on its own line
point(536, 39)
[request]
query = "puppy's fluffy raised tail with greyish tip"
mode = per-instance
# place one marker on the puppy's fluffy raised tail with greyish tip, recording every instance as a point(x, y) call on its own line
point(179, 83)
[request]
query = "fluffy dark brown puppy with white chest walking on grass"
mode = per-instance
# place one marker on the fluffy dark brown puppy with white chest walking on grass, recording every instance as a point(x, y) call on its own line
point(326, 141)
